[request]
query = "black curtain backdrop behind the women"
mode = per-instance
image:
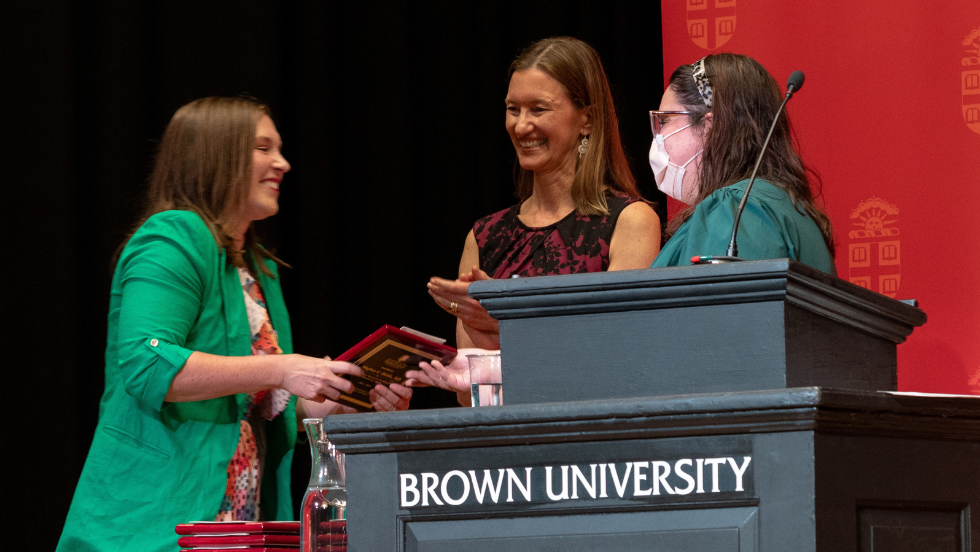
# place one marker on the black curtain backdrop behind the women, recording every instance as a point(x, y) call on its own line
point(391, 115)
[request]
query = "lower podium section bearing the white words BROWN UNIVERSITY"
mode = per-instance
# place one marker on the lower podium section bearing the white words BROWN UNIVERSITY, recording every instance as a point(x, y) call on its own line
point(795, 469)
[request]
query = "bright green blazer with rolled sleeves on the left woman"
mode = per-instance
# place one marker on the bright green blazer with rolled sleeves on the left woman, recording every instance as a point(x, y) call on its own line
point(155, 464)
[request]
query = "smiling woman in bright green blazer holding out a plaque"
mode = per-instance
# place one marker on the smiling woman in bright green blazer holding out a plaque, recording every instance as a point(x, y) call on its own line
point(198, 417)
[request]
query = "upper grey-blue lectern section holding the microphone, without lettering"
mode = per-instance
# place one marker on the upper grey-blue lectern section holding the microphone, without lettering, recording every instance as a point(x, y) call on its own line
point(695, 329)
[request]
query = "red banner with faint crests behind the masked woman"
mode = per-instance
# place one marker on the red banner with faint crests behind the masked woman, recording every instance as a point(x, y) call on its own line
point(890, 119)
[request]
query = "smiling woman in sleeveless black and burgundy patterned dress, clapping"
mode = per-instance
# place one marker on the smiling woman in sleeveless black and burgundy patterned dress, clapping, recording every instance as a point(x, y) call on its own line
point(579, 210)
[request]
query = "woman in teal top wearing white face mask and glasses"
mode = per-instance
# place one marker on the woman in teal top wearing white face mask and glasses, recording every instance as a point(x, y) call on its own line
point(710, 128)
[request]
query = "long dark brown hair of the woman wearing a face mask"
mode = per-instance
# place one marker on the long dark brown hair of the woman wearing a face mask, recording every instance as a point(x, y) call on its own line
point(745, 101)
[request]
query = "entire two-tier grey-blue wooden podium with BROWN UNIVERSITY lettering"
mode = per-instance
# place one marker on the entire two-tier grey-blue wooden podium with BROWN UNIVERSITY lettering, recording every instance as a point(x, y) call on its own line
point(728, 447)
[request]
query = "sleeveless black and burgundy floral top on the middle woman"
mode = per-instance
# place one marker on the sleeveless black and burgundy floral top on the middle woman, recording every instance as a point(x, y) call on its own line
point(575, 244)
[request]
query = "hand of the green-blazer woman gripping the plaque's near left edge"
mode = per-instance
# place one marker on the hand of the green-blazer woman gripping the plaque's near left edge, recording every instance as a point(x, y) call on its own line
point(316, 379)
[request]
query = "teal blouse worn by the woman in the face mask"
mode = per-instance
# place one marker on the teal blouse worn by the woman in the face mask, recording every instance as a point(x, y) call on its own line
point(771, 228)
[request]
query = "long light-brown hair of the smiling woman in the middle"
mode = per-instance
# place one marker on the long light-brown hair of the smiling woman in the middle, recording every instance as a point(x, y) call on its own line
point(576, 66)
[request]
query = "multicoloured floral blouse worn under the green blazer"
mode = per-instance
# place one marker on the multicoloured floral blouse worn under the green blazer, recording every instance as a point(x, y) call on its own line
point(241, 502)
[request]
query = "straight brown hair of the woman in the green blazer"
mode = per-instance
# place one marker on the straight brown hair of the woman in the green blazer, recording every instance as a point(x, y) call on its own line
point(204, 165)
